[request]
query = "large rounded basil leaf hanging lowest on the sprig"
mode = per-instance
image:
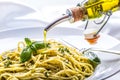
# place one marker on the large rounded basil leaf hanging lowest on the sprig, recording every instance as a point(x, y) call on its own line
point(26, 54)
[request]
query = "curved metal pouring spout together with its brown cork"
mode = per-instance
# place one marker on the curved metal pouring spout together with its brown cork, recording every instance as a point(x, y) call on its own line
point(72, 15)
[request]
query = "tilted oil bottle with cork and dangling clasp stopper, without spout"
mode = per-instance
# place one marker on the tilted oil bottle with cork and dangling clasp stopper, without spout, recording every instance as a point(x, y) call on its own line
point(93, 9)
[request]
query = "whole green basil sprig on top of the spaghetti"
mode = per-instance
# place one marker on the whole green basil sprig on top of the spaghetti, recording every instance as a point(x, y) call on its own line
point(31, 48)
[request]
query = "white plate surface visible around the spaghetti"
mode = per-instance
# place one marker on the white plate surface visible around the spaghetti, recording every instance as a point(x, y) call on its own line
point(10, 38)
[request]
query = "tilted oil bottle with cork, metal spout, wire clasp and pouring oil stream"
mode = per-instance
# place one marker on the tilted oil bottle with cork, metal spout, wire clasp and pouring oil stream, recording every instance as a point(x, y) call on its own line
point(92, 9)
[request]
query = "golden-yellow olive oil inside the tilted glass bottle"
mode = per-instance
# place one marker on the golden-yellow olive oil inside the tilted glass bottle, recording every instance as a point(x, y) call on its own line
point(95, 8)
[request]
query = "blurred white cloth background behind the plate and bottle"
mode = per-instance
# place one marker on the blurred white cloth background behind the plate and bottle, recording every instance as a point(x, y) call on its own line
point(33, 12)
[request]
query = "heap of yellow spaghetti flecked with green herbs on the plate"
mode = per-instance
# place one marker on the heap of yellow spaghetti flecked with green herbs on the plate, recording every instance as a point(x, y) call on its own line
point(55, 62)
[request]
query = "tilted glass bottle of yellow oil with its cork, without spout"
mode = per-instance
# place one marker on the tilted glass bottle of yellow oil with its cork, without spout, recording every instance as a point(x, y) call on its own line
point(93, 9)
